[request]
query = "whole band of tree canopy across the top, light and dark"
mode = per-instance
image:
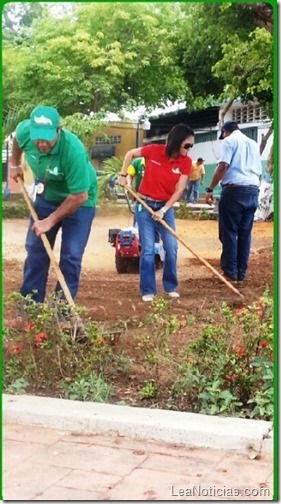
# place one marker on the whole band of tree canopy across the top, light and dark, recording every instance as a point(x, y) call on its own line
point(99, 58)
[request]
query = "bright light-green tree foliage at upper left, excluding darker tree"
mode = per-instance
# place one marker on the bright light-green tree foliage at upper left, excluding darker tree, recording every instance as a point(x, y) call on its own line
point(94, 60)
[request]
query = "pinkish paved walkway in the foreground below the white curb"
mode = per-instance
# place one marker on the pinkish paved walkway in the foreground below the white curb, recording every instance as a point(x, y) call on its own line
point(44, 464)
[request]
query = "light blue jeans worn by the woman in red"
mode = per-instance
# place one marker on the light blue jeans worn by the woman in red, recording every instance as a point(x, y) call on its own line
point(147, 229)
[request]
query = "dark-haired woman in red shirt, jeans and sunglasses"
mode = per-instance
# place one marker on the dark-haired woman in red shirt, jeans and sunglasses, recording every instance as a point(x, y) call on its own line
point(165, 176)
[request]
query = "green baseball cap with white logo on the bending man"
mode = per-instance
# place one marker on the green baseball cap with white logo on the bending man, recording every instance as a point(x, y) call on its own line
point(44, 122)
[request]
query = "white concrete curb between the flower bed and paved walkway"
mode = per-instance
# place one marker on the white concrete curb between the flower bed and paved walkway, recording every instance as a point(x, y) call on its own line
point(190, 429)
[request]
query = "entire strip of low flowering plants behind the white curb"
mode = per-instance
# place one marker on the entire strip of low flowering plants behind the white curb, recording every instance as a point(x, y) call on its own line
point(227, 369)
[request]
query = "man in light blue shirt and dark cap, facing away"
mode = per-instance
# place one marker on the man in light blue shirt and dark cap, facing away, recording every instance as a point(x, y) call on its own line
point(239, 172)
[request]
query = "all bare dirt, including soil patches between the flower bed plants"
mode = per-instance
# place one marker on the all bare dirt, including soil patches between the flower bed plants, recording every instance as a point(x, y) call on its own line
point(112, 300)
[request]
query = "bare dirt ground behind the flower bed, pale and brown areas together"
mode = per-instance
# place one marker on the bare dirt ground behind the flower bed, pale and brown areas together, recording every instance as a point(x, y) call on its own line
point(109, 296)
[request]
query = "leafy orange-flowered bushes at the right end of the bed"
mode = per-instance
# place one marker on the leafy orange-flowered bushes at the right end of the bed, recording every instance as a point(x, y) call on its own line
point(228, 370)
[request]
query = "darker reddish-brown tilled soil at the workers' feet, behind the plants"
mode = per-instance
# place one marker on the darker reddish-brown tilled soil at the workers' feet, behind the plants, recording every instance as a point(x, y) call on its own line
point(112, 297)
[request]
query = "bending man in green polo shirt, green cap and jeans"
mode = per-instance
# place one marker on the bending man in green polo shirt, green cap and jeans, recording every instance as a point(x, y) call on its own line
point(65, 191)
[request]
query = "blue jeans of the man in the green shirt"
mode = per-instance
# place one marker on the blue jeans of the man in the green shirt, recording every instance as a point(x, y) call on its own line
point(75, 233)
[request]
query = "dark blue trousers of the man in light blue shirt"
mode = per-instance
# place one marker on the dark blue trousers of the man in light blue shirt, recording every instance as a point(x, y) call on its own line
point(237, 206)
